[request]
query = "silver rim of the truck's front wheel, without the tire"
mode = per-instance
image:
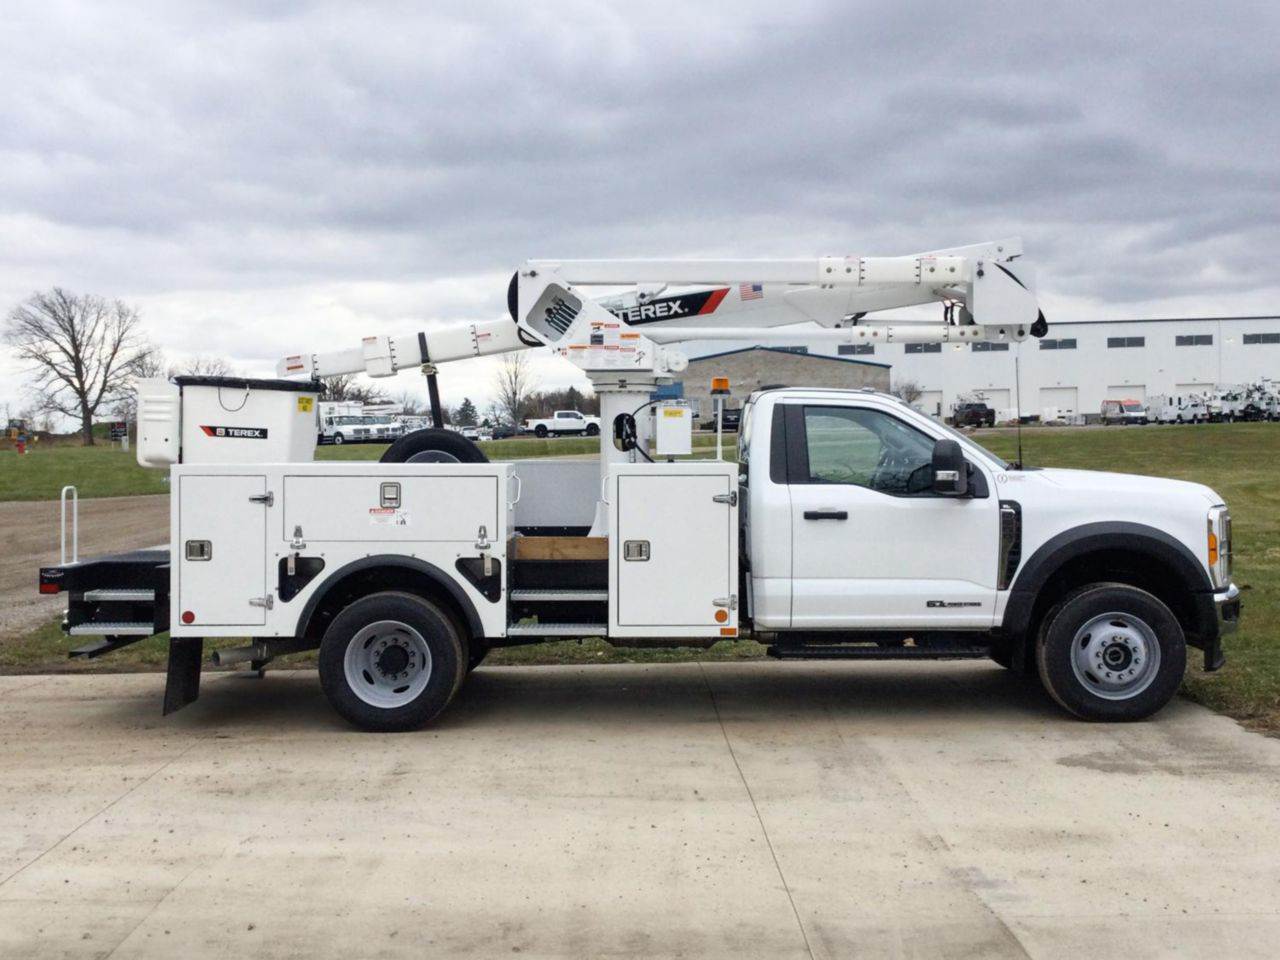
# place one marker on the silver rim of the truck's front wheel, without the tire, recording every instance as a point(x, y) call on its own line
point(1116, 656)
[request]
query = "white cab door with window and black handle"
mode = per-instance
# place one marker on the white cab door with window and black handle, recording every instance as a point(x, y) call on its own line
point(874, 547)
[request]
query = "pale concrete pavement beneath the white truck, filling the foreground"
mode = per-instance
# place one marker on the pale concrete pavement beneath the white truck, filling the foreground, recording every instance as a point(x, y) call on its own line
point(733, 810)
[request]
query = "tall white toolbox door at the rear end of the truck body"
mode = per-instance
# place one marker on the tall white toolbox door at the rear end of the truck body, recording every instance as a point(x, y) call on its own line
point(222, 550)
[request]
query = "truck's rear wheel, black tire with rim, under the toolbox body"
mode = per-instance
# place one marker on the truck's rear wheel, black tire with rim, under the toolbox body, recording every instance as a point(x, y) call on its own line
point(354, 639)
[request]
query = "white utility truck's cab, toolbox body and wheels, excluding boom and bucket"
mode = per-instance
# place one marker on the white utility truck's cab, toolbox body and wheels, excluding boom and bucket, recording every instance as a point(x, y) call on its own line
point(854, 528)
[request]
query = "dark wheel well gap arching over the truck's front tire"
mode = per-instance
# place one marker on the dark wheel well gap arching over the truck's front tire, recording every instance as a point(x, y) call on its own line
point(1114, 566)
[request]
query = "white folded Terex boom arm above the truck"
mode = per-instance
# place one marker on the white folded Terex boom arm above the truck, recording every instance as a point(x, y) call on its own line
point(989, 295)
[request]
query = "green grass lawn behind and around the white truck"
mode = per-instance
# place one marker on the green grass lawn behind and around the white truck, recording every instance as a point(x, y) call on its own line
point(1233, 459)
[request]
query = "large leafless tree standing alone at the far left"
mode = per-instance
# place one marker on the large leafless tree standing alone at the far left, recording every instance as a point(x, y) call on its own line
point(83, 351)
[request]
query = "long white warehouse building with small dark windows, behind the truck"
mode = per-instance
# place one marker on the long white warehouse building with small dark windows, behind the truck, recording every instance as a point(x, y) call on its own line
point(1076, 367)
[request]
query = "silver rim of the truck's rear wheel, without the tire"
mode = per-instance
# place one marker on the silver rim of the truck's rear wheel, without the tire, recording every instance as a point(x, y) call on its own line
point(388, 664)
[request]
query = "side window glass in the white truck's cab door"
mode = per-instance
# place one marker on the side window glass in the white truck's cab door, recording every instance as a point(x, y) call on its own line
point(867, 449)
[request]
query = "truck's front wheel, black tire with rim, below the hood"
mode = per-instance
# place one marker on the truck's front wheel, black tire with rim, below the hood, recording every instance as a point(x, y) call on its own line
point(1081, 636)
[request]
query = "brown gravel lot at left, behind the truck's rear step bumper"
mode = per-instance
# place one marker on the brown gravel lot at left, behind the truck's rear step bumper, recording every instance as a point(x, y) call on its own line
point(30, 540)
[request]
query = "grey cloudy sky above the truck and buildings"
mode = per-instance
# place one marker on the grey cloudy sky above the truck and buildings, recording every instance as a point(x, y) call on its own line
point(260, 179)
